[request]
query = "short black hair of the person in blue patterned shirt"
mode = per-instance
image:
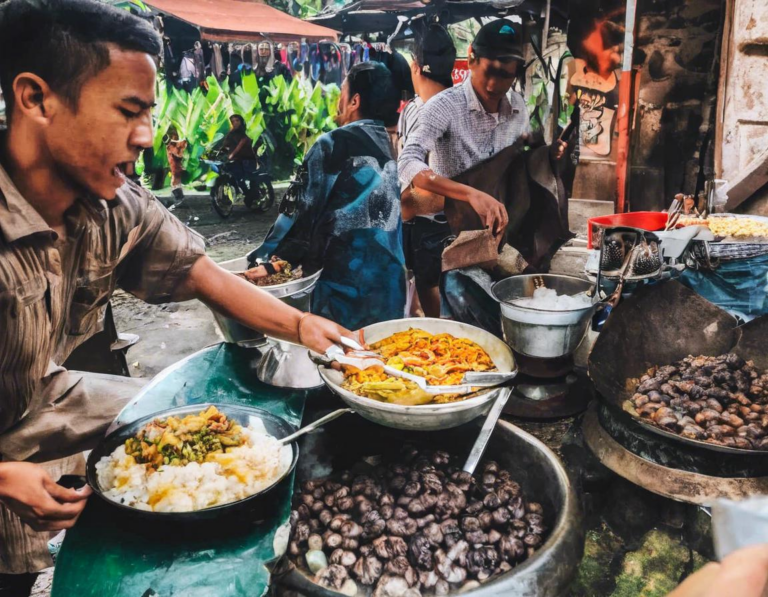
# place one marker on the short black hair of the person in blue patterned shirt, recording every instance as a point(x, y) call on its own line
point(379, 98)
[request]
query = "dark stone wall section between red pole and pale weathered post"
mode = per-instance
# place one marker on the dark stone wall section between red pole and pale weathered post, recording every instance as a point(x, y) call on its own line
point(676, 61)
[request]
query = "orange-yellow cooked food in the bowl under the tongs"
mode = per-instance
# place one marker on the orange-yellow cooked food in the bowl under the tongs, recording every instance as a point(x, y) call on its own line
point(442, 359)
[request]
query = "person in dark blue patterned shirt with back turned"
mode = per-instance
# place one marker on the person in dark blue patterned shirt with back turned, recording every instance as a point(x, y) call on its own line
point(343, 216)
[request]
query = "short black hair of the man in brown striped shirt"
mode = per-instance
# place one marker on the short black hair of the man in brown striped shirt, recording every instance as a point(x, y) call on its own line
point(65, 42)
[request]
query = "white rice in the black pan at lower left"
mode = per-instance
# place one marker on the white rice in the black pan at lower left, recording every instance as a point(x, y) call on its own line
point(233, 476)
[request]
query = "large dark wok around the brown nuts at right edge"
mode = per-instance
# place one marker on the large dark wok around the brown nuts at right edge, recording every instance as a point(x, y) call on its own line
point(658, 325)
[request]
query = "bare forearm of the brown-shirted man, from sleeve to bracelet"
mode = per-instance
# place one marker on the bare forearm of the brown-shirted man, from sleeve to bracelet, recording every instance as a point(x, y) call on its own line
point(233, 297)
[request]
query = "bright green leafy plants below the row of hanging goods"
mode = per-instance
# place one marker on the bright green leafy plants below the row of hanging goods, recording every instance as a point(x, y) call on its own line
point(287, 117)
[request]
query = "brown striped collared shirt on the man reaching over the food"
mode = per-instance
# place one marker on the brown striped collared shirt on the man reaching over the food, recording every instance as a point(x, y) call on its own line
point(54, 291)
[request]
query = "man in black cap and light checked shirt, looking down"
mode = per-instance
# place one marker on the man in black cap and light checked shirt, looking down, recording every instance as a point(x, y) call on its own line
point(470, 123)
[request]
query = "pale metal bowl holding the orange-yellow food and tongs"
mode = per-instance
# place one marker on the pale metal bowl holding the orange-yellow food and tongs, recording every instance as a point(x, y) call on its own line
point(425, 417)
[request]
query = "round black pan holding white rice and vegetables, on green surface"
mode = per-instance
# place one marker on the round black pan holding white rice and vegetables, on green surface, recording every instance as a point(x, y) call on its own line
point(244, 415)
